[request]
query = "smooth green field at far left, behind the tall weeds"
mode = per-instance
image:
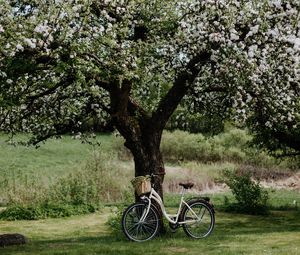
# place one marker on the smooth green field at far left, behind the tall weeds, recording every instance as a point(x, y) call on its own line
point(55, 157)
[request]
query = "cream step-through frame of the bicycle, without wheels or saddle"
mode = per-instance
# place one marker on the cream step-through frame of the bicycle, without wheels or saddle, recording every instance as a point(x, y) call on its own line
point(173, 218)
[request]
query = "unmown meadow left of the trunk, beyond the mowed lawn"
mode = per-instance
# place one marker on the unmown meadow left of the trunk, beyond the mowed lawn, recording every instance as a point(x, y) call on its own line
point(60, 167)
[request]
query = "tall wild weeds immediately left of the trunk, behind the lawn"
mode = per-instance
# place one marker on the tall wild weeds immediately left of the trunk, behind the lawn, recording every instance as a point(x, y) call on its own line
point(95, 183)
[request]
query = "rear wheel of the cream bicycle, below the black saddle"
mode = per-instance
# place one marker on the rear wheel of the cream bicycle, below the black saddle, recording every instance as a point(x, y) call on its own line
point(199, 219)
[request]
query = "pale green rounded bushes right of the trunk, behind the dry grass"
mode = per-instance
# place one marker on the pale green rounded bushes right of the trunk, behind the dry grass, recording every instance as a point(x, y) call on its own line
point(181, 145)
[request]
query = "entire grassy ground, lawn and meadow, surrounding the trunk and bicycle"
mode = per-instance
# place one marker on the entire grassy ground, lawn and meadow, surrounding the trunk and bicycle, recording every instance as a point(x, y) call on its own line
point(69, 172)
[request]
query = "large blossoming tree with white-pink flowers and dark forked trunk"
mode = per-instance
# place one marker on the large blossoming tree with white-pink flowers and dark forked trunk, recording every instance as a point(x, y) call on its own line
point(135, 61)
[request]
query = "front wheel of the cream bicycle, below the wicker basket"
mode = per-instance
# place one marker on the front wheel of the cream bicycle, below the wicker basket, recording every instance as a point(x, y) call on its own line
point(137, 230)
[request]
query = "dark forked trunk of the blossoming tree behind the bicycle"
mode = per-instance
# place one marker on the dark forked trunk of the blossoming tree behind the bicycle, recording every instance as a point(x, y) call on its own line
point(141, 129)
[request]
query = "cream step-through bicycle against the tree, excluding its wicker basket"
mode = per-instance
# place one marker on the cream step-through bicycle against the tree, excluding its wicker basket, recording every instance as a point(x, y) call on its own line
point(141, 220)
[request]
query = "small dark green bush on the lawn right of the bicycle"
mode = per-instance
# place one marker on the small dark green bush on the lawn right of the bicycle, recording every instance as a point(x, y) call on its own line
point(250, 196)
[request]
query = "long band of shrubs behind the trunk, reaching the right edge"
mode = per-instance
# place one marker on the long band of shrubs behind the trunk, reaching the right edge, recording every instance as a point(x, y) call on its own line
point(232, 145)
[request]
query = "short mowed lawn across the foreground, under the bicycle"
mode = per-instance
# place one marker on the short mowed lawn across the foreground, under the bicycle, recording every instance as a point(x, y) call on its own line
point(278, 233)
